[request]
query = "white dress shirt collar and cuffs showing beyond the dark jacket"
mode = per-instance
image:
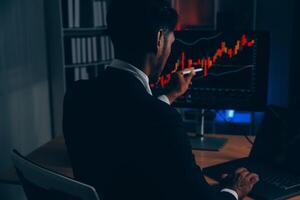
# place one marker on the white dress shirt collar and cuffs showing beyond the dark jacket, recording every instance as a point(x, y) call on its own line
point(141, 76)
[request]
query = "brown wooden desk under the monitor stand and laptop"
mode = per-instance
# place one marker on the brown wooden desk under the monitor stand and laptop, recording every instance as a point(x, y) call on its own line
point(53, 155)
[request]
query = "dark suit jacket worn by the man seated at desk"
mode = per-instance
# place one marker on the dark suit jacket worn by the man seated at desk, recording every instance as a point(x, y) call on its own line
point(128, 144)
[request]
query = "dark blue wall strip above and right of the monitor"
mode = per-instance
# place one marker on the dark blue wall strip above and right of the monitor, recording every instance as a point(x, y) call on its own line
point(277, 17)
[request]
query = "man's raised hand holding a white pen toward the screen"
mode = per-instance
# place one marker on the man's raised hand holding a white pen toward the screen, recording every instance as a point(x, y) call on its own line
point(180, 85)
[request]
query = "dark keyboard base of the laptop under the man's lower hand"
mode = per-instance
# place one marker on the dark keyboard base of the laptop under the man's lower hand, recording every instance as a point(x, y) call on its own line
point(273, 185)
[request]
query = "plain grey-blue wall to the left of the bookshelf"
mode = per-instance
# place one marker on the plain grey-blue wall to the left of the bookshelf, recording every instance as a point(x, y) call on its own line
point(24, 100)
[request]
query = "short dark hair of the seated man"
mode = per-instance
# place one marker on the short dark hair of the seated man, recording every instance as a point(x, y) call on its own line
point(133, 24)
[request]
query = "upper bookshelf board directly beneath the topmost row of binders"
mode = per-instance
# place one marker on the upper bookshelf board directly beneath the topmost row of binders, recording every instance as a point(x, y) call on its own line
point(84, 31)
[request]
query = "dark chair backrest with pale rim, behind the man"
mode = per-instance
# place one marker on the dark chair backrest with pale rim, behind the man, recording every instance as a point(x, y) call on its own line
point(40, 183)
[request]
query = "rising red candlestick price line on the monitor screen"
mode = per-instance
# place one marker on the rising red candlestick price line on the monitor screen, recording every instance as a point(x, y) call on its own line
point(206, 63)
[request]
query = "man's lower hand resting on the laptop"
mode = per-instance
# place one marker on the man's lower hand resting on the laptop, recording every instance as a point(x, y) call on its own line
point(242, 181)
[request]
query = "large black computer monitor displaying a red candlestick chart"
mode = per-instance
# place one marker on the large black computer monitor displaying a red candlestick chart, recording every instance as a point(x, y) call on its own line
point(232, 69)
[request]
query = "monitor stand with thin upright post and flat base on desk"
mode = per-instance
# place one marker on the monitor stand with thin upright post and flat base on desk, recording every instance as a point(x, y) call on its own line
point(202, 142)
